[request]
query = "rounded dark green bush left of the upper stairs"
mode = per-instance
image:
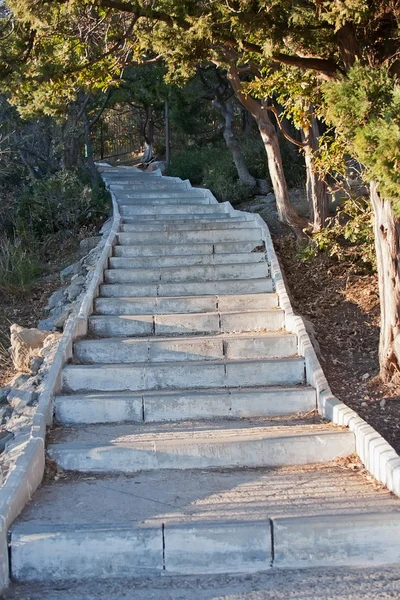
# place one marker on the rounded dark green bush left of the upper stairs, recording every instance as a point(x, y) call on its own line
point(64, 201)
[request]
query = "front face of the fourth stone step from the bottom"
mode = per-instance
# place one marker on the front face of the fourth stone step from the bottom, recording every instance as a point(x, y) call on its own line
point(178, 375)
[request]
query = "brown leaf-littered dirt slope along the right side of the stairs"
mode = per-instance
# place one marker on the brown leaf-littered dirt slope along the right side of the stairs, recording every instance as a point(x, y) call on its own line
point(344, 312)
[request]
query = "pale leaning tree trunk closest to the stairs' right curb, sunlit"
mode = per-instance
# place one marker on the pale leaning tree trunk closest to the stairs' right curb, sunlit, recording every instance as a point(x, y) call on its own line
point(286, 211)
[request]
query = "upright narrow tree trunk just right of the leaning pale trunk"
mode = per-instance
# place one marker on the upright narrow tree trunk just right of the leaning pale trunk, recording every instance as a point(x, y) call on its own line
point(317, 193)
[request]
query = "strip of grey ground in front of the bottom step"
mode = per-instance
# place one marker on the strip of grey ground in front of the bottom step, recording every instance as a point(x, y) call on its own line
point(354, 584)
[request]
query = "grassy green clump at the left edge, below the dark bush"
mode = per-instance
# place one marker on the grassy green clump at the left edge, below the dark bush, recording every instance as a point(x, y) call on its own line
point(19, 266)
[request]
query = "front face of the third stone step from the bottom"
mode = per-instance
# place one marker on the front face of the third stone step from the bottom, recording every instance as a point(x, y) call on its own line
point(181, 405)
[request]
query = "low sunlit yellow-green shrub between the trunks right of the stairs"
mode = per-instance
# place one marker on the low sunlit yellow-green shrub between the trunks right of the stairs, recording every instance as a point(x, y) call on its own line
point(348, 236)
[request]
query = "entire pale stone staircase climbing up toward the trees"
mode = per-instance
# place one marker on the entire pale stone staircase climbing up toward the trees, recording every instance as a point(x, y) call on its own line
point(188, 310)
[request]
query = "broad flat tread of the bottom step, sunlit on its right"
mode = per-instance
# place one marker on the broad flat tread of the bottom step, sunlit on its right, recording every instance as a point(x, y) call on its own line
point(198, 497)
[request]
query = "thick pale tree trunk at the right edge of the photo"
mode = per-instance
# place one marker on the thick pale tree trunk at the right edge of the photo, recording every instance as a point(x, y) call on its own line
point(387, 244)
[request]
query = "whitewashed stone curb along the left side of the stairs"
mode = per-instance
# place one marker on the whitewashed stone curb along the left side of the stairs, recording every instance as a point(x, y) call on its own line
point(27, 472)
